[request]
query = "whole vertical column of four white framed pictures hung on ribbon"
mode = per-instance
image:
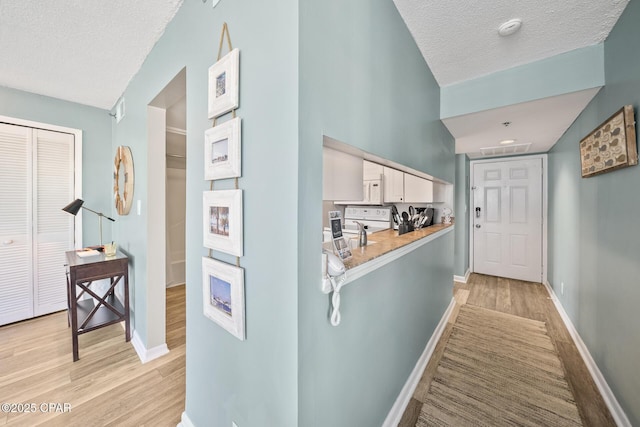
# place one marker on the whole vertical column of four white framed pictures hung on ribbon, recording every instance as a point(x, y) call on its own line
point(223, 286)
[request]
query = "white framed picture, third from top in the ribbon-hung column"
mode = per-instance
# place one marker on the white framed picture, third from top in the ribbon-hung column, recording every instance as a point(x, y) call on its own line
point(222, 221)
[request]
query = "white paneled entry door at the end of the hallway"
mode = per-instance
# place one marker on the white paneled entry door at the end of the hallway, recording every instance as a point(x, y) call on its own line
point(507, 219)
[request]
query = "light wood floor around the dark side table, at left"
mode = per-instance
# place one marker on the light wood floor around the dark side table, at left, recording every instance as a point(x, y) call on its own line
point(108, 386)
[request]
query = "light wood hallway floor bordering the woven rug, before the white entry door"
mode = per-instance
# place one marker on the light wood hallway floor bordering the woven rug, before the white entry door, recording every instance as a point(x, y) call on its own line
point(524, 299)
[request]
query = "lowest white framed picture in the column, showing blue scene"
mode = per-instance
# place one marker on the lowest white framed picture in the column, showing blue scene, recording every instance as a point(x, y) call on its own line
point(223, 295)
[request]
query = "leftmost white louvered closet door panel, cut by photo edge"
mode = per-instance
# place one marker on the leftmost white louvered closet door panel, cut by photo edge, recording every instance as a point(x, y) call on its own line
point(16, 272)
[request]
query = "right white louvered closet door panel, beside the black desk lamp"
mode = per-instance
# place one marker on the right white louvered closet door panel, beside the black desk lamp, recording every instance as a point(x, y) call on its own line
point(52, 227)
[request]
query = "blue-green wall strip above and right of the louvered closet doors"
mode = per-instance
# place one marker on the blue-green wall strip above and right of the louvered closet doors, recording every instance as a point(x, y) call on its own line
point(95, 123)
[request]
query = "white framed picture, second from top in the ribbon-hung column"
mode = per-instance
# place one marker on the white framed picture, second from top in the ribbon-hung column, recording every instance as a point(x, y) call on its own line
point(222, 152)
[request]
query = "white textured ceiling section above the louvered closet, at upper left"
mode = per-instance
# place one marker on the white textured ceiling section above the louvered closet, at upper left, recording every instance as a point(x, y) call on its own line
point(85, 51)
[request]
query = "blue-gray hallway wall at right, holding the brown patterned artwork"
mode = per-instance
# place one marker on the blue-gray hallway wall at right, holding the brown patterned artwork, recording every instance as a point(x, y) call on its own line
point(594, 238)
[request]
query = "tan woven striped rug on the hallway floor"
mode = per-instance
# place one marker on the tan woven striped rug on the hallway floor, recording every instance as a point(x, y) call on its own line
point(498, 370)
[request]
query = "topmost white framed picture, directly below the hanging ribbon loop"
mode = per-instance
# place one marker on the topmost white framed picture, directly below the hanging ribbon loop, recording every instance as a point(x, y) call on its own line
point(224, 84)
